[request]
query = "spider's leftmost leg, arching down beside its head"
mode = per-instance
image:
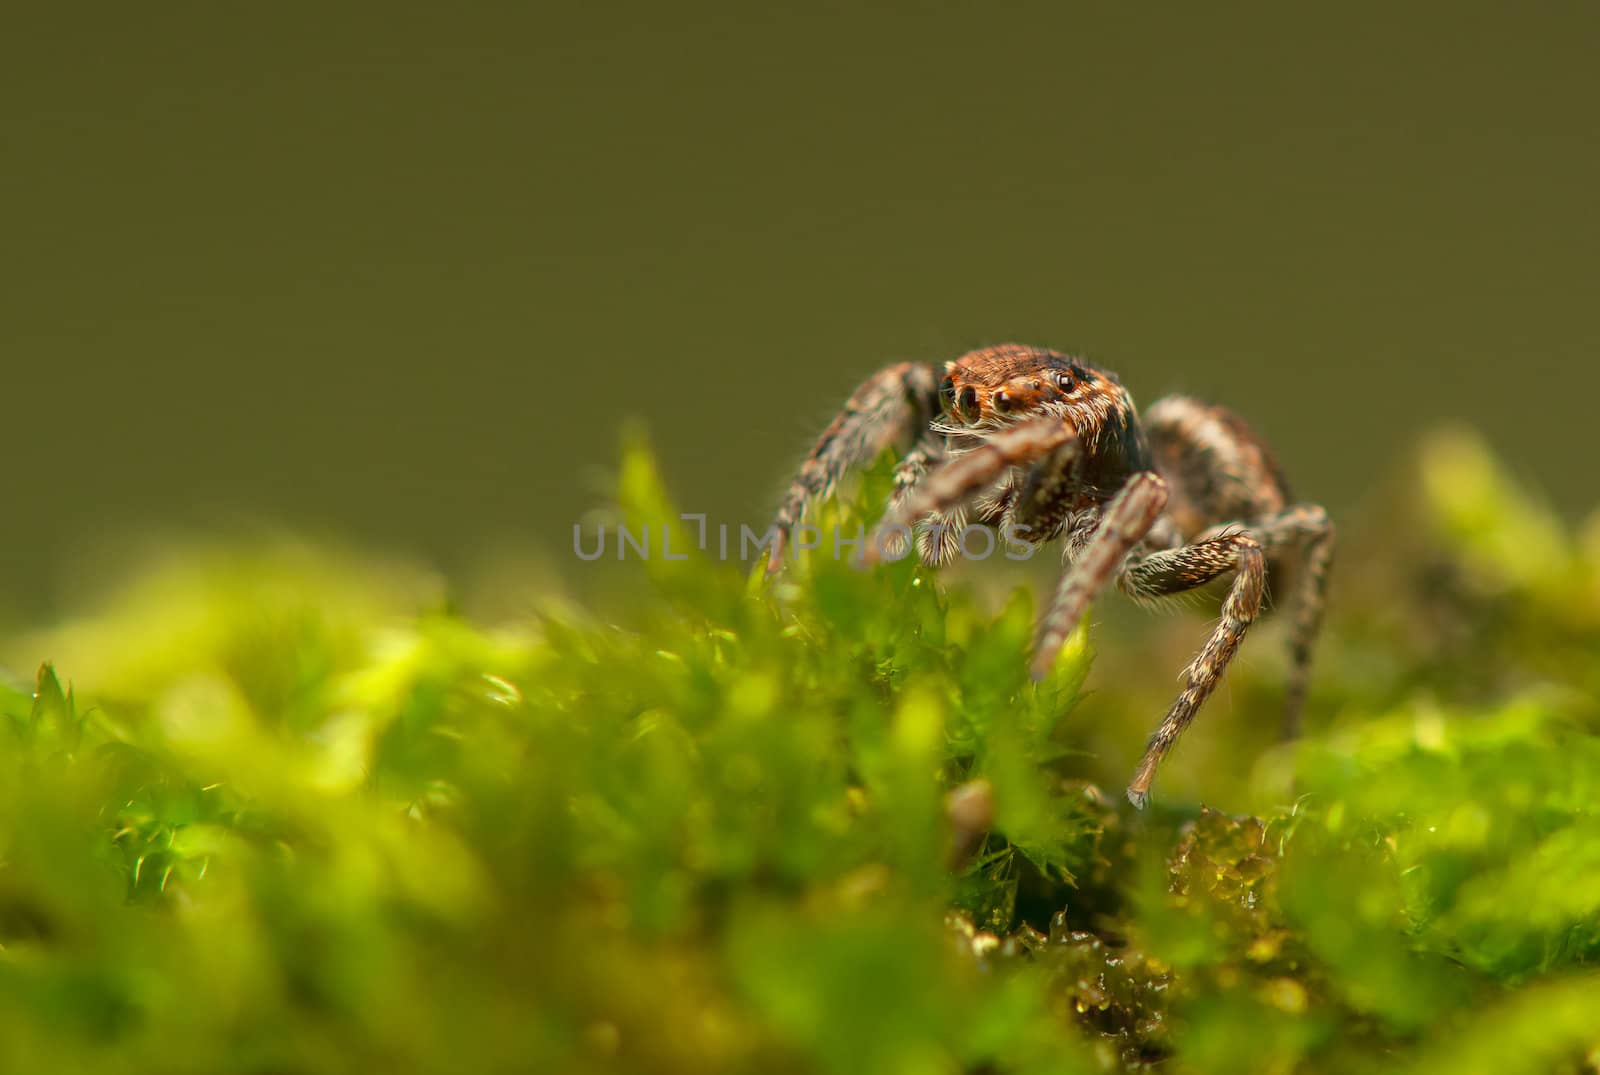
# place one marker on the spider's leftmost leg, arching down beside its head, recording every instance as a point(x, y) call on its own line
point(884, 412)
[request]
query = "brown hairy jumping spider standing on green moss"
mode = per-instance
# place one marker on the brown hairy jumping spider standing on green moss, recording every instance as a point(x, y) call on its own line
point(1047, 447)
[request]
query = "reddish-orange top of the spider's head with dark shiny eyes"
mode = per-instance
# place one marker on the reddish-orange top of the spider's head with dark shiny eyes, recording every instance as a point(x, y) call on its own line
point(993, 388)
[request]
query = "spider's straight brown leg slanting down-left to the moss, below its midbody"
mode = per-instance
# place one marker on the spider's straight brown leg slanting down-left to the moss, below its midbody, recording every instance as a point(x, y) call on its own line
point(1124, 524)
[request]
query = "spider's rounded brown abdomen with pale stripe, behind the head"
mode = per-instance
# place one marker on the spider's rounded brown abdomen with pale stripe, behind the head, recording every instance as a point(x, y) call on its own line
point(1217, 468)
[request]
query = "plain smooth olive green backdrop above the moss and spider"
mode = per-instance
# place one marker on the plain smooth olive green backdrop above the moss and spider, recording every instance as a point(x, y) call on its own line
point(399, 274)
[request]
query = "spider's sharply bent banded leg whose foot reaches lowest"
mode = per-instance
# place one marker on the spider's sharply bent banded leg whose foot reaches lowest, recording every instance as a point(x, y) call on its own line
point(1178, 570)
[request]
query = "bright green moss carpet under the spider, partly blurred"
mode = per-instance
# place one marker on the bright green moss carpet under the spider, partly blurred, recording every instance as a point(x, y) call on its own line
point(289, 813)
